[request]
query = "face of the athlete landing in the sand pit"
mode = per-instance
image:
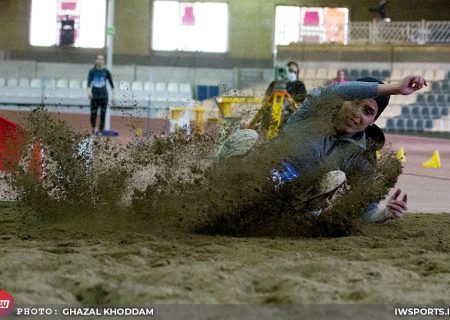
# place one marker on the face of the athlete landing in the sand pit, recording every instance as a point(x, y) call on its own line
point(356, 115)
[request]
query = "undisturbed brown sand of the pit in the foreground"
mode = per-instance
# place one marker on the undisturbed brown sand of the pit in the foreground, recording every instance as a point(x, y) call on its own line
point(117, 261)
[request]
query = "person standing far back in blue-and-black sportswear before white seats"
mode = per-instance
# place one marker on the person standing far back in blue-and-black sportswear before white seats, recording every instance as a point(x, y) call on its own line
point(98, 93)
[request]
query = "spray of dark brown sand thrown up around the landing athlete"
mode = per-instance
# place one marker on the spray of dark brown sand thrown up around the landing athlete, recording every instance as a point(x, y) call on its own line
point(174, 182)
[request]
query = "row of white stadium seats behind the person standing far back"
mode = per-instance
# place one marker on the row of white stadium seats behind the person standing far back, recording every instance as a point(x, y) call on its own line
point(66, 92)
